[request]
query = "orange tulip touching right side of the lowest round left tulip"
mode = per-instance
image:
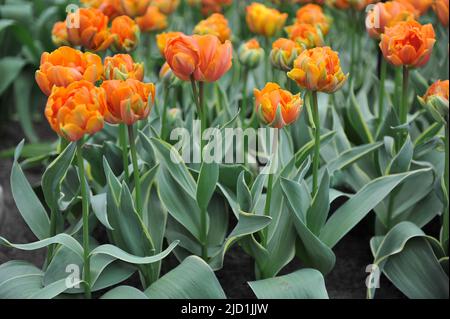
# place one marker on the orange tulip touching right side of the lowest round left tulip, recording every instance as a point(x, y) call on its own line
point(128, 101)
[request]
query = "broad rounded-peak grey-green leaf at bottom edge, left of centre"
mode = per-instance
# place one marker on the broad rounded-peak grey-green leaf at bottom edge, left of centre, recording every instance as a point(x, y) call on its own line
point(192, 279)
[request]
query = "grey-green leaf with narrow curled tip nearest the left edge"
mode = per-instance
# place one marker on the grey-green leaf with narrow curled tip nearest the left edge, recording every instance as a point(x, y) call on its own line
point(29, 205)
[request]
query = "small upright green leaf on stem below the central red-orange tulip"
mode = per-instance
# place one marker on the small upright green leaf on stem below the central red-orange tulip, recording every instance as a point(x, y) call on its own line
point(207, 181)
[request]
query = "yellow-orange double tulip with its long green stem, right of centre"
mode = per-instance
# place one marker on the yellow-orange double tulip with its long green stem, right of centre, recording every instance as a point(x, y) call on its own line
point(318, 70)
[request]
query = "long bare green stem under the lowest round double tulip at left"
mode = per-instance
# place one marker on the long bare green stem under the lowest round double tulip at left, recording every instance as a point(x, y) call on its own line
point(85, 217)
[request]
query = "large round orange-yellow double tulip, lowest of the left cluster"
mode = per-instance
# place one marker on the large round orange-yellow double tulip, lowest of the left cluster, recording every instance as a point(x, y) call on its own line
point(76, 110)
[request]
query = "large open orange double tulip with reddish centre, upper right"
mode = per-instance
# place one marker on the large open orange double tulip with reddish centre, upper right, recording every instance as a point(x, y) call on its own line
point(408, 43)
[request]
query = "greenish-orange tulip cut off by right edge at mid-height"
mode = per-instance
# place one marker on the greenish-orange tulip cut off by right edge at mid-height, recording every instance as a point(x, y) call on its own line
point(436, 100)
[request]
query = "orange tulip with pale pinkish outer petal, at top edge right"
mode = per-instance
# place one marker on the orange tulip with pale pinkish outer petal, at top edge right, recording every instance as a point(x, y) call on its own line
point(387, 14)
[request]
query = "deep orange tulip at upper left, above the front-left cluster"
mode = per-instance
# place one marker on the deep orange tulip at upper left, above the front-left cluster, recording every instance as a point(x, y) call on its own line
point(93, 33)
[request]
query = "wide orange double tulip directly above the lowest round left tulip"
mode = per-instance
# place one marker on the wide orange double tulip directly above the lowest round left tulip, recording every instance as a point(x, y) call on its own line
point(66, 65)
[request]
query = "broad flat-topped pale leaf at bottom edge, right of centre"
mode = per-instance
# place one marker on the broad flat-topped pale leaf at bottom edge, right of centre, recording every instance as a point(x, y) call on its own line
point(302, 284)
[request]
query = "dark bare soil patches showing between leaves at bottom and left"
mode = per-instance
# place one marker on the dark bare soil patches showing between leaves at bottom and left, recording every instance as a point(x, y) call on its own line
point(346, 281)
